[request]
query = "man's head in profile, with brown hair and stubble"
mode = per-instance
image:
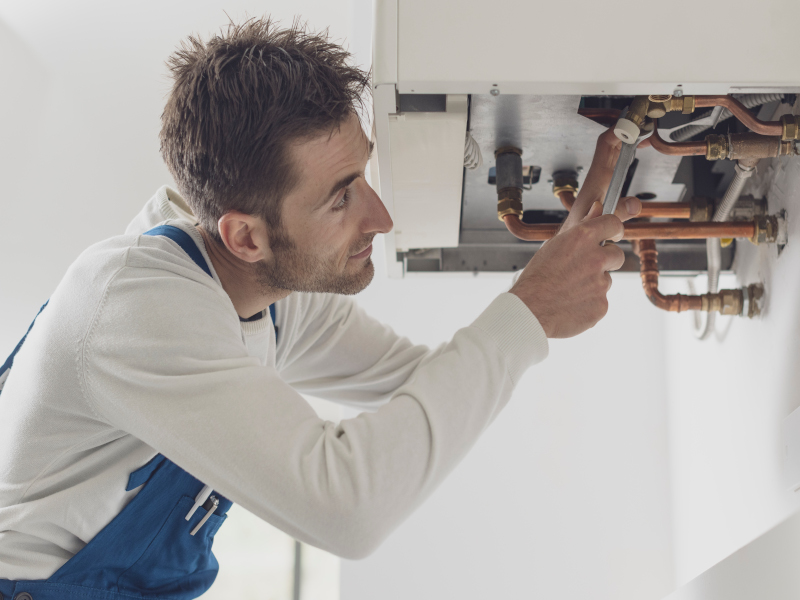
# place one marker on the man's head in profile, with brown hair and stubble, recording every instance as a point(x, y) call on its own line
point(260, 126)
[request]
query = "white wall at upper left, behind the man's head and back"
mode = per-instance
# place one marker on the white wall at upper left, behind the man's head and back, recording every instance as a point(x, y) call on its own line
point(84, 84)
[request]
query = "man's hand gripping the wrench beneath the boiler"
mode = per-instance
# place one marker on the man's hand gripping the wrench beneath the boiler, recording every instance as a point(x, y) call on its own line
point(566, 282)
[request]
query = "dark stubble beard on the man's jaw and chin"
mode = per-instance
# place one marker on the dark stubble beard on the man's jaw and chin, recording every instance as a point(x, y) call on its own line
point(298, 271)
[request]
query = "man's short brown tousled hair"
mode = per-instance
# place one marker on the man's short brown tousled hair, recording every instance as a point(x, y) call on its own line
point(239, 101)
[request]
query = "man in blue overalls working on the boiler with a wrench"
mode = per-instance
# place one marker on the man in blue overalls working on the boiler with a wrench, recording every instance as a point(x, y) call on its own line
point(155, 389)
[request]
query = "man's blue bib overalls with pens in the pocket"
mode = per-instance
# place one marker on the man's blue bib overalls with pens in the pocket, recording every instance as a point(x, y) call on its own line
point(159, 545)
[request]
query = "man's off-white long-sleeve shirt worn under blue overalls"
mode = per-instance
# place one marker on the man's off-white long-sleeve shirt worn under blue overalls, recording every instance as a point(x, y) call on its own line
point(140, 352)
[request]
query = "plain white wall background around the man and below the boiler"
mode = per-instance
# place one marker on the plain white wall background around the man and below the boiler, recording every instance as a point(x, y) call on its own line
point(631, 460)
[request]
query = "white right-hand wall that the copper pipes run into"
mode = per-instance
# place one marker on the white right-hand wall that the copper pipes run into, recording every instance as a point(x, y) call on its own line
point(727, 400)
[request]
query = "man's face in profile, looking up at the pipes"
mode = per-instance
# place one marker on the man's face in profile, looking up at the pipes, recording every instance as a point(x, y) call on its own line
point(329, 219)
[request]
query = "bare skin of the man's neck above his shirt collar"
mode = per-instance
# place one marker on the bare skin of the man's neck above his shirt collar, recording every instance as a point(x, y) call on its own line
point(239, 279)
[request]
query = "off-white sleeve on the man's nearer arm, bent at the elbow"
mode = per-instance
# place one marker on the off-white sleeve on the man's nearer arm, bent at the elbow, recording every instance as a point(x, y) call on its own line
point(176, 375)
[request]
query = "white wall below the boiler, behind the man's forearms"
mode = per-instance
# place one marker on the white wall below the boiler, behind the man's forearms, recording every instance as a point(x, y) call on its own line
point(566, 496)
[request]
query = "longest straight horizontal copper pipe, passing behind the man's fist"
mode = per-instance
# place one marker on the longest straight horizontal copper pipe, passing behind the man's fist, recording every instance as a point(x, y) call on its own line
point(642, 231)
